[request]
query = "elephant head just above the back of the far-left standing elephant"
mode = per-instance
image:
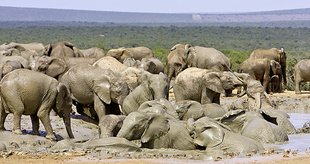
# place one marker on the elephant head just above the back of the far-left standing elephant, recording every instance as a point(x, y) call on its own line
point(48, 65)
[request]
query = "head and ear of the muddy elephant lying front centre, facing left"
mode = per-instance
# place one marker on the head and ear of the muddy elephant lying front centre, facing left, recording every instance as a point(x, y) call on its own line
point(133, 126)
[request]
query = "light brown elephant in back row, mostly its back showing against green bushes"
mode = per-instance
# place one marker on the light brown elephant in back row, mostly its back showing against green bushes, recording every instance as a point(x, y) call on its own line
point(137, 53)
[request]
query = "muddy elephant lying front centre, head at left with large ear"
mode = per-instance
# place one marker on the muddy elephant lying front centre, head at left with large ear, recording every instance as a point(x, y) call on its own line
point(156, 131)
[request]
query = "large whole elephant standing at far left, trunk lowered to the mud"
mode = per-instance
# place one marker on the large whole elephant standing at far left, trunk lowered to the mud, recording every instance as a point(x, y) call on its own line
point(26, 92)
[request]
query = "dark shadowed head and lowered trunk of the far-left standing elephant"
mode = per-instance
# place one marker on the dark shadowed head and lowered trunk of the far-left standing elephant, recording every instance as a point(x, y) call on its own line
point(63, 107)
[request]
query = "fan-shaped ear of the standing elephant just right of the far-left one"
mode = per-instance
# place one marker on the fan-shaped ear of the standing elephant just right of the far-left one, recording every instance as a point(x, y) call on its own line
point(102, 89)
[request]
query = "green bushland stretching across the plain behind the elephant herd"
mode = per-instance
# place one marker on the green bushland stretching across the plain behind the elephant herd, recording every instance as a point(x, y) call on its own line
point(236, 42)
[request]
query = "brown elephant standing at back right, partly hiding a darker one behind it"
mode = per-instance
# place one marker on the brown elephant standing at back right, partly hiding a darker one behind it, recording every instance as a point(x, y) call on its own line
point(263, 71)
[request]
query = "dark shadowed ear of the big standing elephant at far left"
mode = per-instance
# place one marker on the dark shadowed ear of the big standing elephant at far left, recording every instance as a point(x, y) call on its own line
point(63, 100)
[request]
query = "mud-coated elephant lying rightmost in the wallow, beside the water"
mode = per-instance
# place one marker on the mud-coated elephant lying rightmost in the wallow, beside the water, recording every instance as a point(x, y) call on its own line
point(261, 127)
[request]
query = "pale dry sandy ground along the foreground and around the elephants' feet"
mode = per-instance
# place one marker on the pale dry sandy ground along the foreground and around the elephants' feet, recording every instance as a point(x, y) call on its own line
point(27, 148)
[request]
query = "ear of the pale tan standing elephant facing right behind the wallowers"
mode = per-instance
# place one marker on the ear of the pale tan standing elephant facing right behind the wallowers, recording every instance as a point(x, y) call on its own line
point(213, 82)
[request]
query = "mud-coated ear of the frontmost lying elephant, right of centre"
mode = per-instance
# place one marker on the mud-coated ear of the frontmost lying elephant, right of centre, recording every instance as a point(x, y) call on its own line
point(210, 135)
